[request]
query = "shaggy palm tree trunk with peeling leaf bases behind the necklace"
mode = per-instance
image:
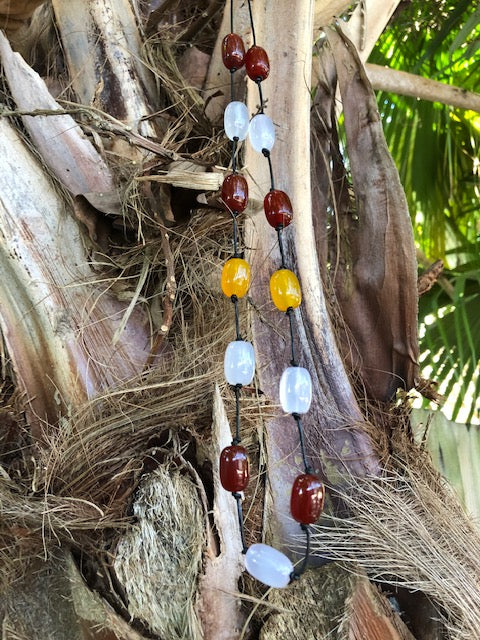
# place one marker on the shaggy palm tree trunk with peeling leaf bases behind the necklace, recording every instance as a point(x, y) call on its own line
point(116, 482)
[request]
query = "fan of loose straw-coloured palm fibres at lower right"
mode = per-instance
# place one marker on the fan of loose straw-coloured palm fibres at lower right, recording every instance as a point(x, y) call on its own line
point(407, 528)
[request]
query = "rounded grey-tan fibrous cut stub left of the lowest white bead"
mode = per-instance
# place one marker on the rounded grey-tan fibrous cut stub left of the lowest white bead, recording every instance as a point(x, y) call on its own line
point(158, 561)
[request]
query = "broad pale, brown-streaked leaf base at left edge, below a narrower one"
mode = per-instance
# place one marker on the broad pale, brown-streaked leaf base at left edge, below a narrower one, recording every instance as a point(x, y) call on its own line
point(58, 322)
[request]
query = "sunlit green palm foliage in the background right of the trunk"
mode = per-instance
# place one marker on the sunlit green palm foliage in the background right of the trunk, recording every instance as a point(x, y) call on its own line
point(437, 150)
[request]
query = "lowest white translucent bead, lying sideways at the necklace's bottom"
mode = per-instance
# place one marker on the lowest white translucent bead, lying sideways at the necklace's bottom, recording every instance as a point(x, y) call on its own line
point(268, 565)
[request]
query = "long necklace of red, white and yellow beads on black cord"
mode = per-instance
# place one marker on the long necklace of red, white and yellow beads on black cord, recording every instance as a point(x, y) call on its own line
point(268, 565)
